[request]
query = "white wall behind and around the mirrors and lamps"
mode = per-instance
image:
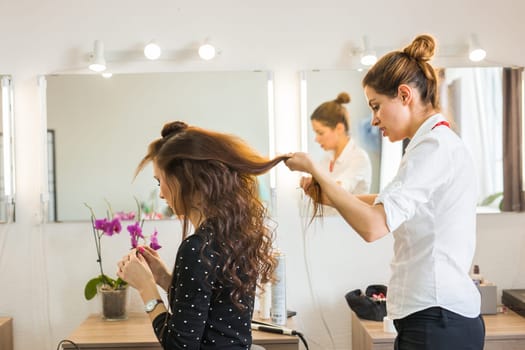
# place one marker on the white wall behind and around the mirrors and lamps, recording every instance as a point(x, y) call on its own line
point(43, 267)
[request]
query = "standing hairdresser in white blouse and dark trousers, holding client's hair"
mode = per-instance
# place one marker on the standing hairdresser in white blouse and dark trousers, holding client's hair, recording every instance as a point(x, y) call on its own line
point(429, 207)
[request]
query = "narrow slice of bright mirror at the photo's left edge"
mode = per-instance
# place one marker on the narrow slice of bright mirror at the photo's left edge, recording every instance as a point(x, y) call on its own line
point(7, 155)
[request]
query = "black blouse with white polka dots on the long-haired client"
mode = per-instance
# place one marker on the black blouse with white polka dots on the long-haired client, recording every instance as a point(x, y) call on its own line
point(201, 315)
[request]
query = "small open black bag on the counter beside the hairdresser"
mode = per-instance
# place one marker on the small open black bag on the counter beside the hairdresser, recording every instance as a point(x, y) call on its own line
point(367, 306)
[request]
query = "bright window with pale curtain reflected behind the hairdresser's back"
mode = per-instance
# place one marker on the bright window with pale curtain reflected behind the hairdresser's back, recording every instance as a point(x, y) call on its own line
point(472, 99)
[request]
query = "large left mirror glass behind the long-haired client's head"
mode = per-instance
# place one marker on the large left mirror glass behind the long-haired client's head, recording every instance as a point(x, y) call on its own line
point(99, 130)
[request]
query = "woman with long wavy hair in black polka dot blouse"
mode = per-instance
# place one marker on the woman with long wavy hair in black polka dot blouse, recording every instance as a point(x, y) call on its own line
point(209, 181)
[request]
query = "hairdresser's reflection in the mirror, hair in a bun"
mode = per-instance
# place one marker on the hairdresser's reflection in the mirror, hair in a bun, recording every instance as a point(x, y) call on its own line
point(347, 163)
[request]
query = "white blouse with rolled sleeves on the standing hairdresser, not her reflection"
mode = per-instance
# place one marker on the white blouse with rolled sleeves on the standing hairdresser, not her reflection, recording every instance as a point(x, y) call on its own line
point(430, 207)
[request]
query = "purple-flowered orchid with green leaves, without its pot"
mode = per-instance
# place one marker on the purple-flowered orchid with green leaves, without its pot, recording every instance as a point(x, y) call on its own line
point(110, 226)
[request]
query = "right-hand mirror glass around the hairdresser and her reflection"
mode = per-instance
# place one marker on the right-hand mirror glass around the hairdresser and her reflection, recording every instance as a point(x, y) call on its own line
point(470, 97)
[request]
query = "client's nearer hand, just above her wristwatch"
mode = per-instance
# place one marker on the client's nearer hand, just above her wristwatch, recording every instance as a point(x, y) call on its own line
point(134, 269)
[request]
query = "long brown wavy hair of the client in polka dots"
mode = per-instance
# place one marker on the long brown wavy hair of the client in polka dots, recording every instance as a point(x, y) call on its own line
point(219, 171)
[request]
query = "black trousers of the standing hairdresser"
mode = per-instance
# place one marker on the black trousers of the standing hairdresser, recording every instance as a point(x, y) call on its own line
point(438, 329)
